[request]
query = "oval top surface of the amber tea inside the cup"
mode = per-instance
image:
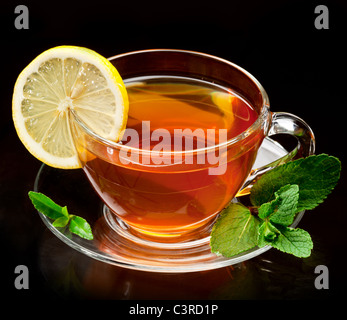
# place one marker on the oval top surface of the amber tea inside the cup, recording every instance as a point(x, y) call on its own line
point(179, 103)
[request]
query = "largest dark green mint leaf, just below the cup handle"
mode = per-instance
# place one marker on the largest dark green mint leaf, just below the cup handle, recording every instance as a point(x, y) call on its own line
point(316, 176)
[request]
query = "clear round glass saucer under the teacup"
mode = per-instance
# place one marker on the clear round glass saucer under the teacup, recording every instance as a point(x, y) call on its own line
point(112, 244)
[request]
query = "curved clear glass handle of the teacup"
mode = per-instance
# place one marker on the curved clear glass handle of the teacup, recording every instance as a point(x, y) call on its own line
point(284, 123)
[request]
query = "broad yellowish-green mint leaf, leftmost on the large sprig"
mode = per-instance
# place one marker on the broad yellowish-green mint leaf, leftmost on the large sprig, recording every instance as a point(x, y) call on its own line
point(235, 231)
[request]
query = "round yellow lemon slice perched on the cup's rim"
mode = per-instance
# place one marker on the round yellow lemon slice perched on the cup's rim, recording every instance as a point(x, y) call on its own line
point(60, 79)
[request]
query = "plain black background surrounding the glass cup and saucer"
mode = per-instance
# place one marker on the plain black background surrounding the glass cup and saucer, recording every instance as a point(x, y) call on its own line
point(303, 71)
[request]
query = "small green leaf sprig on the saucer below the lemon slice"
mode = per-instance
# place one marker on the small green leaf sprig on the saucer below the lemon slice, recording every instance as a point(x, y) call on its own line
point(60, 215)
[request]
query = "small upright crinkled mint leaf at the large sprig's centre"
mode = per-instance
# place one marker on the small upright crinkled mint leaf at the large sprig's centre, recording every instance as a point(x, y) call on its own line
point(282, 210)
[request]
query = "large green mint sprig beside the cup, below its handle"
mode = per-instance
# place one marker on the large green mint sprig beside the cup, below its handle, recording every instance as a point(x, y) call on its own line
point(276, 198)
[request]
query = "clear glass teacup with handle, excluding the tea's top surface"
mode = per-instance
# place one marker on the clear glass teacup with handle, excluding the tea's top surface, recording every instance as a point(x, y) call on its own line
point(139, 205)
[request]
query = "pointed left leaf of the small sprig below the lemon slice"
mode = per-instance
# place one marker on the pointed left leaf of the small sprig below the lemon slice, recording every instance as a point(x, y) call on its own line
point(45, 205)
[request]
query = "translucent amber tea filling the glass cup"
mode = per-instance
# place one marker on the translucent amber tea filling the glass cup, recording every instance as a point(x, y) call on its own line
point(160, 190)
